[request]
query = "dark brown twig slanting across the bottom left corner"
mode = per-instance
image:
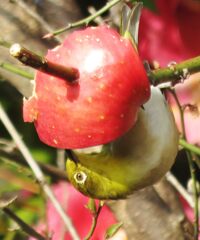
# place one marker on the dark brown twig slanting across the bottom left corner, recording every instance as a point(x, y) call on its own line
point(24, 226)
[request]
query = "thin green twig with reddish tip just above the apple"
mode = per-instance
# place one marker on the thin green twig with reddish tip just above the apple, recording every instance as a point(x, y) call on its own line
point(84, 21)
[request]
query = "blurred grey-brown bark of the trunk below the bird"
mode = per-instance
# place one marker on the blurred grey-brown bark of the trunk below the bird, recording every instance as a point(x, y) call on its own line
point(153, 213)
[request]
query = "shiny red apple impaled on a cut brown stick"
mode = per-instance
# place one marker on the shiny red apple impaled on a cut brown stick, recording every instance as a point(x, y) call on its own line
point(103, 104)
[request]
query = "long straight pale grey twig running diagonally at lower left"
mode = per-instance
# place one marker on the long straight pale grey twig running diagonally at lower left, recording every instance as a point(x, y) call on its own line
point(38, 173)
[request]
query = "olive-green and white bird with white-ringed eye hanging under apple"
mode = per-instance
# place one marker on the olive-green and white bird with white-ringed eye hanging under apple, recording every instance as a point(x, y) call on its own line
point(135, 160)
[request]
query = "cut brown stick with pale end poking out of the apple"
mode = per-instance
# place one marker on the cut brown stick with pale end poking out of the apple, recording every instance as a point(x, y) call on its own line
point(33, 60)
